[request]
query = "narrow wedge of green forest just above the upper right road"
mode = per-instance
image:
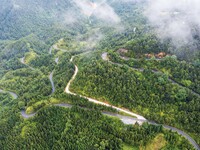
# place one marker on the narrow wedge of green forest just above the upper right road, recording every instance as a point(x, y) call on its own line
point(184, 73)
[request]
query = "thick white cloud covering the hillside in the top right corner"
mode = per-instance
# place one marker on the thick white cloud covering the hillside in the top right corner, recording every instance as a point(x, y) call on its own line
point(175, 19)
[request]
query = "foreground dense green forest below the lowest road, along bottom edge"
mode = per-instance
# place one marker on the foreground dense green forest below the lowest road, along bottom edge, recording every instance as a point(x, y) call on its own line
point(60, 128)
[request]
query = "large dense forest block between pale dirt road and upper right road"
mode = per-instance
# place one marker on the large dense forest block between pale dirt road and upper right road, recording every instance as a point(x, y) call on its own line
point(146, 92)
